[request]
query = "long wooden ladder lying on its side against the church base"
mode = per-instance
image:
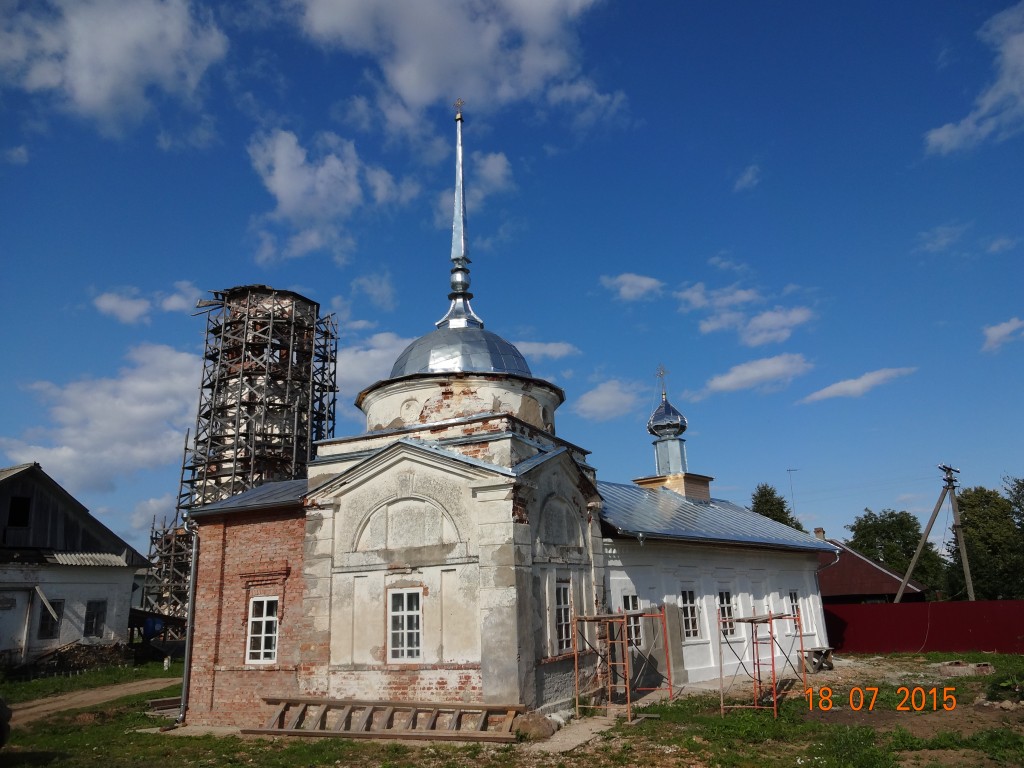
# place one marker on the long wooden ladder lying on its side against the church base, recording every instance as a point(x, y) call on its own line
point(361, 719)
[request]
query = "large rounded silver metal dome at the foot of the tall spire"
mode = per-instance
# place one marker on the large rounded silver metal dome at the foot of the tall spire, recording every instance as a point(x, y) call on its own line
point(460, 351)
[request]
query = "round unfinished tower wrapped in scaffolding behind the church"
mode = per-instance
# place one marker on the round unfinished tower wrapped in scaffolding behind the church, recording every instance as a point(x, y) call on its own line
point(268, 393)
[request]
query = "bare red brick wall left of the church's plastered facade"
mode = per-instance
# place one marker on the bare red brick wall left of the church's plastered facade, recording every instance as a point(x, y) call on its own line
point(245, 556)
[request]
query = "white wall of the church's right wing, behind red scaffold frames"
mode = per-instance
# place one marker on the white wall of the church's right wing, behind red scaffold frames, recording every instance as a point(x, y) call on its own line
point(759, 580)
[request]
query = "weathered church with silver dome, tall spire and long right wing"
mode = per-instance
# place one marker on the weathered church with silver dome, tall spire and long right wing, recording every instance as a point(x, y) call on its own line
point(442, 556)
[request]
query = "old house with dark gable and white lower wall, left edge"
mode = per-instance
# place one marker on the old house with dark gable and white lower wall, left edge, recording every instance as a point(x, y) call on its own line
point(65, 577)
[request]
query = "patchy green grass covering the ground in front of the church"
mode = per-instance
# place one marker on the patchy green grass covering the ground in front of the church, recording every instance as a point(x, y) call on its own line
point(688, 731)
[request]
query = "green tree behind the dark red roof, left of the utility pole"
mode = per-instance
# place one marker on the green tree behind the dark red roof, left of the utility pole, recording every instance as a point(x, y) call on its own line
point(891, 538)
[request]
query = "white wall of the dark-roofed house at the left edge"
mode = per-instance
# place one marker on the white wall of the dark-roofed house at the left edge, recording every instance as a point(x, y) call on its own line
point(76, 586)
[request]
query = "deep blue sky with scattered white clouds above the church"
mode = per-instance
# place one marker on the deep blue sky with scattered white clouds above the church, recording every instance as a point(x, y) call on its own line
point(813, 216)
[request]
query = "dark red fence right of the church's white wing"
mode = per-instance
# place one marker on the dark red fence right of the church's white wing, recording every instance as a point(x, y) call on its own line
point(885, 628)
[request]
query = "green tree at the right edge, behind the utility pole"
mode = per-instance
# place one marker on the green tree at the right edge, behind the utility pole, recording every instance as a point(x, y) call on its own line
point(995, 547)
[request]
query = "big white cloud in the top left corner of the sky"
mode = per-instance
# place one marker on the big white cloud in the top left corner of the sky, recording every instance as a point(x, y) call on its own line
point(103, 60)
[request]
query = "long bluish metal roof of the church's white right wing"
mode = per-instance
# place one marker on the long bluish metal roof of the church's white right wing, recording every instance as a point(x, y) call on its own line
point(665, 515)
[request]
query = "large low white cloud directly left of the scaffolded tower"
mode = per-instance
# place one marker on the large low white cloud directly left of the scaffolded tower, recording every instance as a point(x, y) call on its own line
point(104, 430)
